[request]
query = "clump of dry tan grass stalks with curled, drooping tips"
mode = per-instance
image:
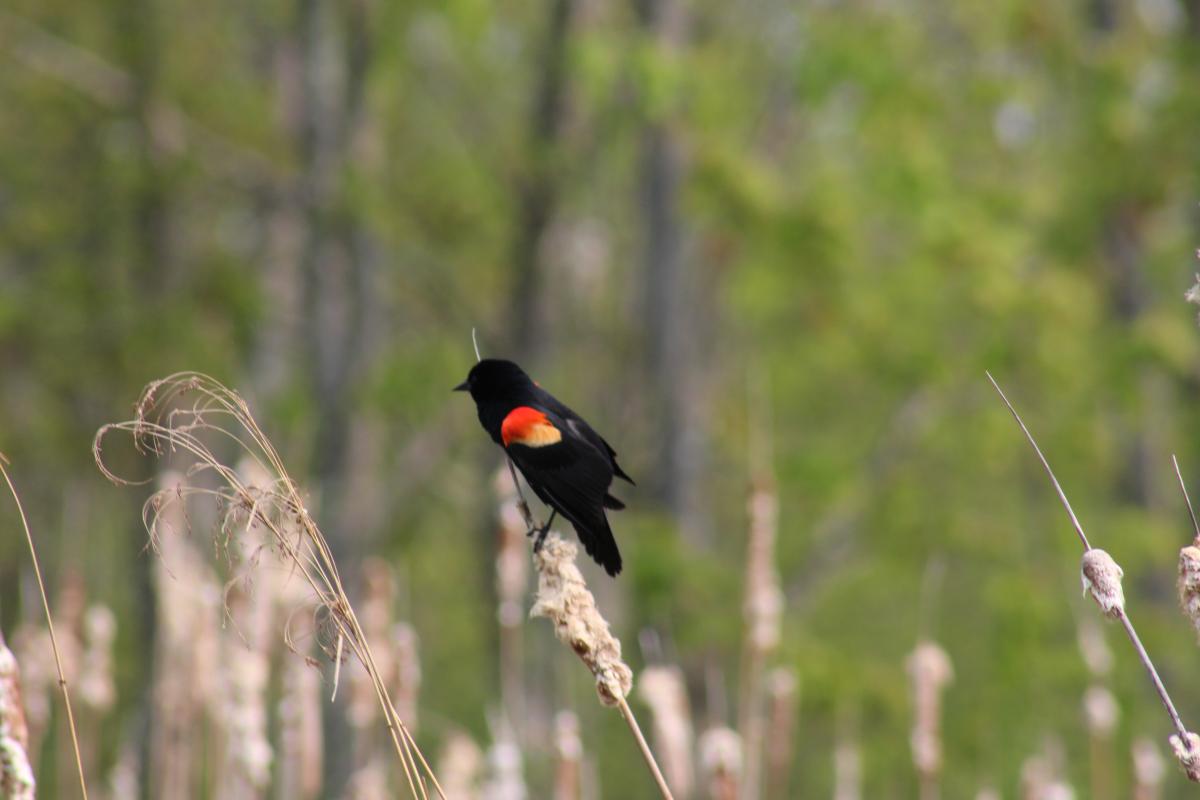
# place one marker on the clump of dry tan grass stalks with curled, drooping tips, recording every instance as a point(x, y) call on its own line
point(181, 416)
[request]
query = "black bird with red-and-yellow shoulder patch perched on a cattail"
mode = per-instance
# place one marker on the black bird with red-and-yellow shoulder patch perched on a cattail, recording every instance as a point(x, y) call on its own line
point(568, 465)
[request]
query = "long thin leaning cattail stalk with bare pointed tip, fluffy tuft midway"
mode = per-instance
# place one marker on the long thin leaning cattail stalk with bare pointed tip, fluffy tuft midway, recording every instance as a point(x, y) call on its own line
point(1102, 579)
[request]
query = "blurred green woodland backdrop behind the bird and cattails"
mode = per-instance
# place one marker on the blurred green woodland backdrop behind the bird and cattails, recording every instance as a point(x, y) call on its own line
point(764, 245)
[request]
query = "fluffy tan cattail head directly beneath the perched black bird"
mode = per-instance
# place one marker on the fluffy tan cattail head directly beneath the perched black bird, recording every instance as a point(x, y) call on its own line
point(565, 599)
